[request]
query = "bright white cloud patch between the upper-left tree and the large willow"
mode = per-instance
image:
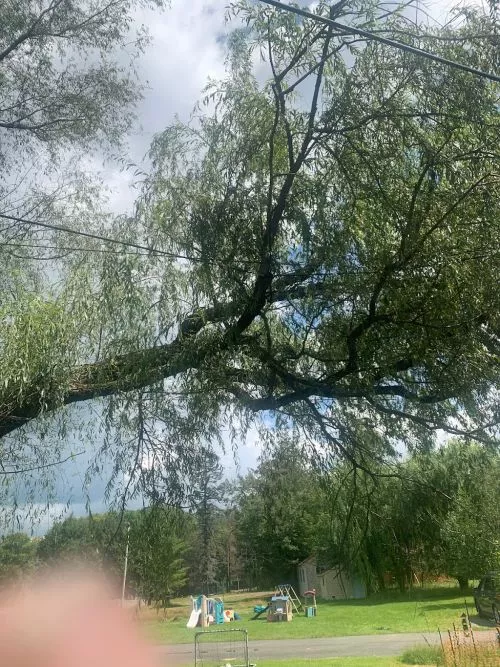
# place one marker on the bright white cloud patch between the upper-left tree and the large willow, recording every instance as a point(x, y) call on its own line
point(183, 54)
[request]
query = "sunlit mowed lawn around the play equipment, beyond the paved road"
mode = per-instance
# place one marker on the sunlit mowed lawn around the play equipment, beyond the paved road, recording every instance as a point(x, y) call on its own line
point(416, 611)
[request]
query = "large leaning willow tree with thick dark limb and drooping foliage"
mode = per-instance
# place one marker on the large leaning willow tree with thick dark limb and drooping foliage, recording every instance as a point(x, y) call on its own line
point(324, 240)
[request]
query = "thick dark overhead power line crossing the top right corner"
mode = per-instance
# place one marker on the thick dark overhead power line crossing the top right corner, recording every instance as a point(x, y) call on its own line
point(383, 40)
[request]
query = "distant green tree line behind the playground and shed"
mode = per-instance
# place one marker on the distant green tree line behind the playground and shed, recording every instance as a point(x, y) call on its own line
point(432, 514)
